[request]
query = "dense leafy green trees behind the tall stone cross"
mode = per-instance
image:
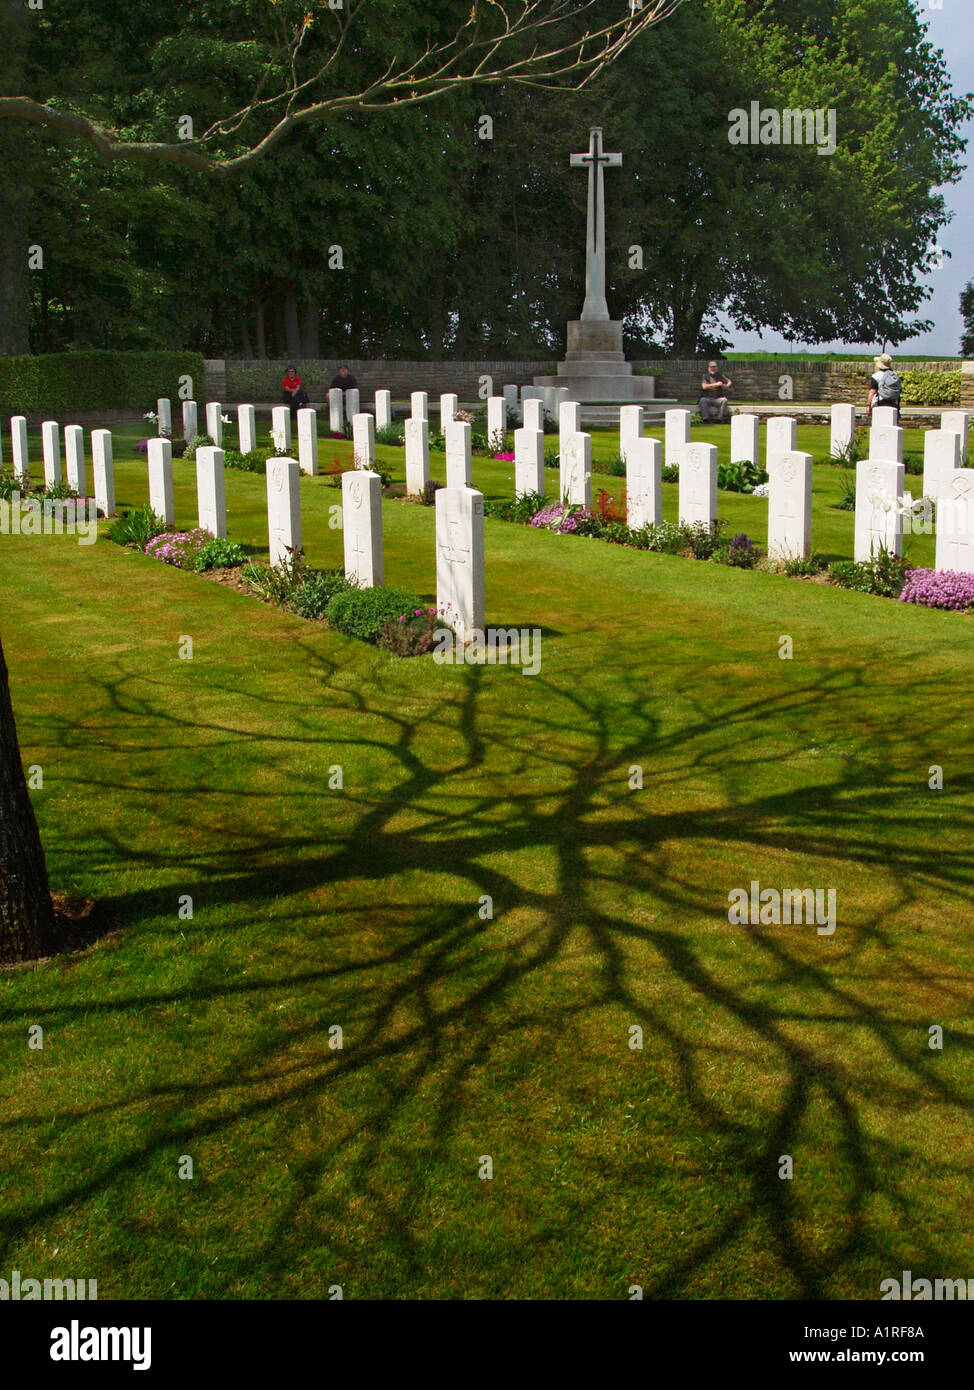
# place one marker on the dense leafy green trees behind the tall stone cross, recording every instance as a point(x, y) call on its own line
point(461, 237)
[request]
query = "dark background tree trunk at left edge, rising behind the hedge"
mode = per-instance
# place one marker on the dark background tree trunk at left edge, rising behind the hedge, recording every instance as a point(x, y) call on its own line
point(15, 190)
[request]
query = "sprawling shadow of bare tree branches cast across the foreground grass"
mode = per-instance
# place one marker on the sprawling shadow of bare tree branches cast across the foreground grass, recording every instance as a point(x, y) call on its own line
point(434, 1000)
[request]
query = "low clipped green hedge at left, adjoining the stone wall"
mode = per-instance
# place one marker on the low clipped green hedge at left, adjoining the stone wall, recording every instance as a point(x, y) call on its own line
point(56, 384)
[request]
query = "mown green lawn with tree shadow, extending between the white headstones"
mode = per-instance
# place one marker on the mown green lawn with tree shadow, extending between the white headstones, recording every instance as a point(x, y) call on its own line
point(508, 1038)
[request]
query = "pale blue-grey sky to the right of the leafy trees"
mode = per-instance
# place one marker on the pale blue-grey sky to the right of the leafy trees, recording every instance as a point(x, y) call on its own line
point(951, 28)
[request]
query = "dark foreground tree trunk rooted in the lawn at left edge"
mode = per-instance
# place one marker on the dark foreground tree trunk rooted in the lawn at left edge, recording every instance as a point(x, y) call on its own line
point(27, 918)
